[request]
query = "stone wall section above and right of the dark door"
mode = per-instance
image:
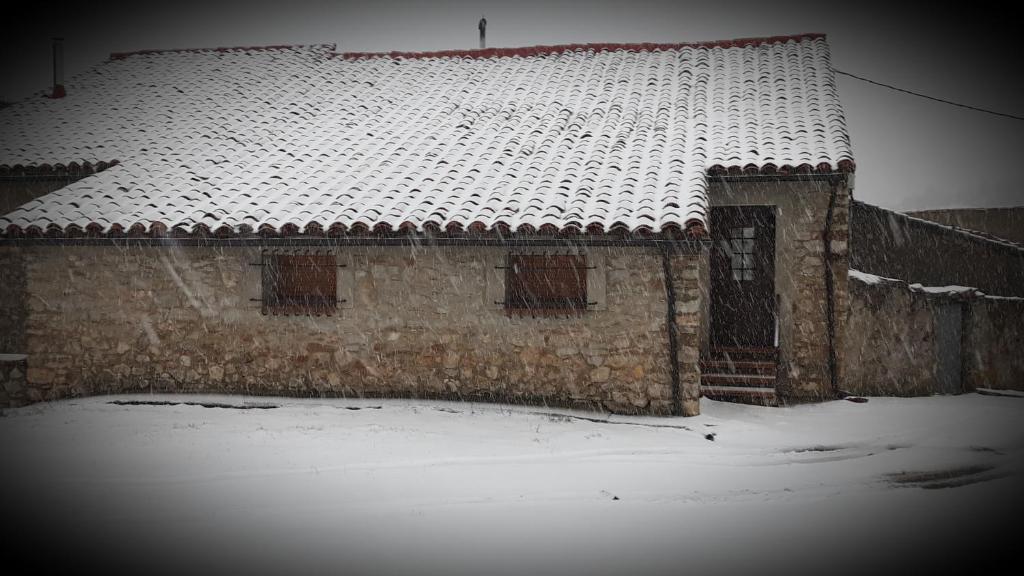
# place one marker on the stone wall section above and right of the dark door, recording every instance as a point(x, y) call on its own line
point(801, 215)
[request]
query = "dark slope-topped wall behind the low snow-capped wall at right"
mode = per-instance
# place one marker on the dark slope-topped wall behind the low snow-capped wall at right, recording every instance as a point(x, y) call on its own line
point(894, 245)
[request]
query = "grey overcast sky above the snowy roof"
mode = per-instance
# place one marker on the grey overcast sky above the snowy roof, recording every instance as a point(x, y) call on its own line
point(911, 153)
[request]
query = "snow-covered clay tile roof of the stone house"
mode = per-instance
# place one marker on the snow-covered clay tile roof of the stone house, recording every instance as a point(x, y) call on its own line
point(303, 139)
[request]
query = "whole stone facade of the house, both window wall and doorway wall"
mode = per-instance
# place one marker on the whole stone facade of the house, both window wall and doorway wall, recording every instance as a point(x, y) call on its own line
point(421, 319)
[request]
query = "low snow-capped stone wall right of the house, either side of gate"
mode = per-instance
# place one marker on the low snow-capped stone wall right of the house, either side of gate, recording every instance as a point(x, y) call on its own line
point(892, 340)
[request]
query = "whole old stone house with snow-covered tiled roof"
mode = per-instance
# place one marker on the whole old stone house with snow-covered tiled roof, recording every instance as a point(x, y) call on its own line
point(626, 228)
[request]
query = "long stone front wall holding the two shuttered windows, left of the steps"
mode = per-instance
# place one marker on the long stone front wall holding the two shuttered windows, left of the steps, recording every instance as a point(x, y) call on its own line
point(418, 322)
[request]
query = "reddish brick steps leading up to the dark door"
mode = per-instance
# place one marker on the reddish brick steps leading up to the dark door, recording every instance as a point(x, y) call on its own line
point(741, 375)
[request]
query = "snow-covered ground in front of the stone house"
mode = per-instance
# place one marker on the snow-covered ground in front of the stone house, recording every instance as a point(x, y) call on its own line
point(424, 487)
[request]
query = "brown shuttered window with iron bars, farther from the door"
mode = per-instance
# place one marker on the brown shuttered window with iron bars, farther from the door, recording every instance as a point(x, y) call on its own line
point(301, 284)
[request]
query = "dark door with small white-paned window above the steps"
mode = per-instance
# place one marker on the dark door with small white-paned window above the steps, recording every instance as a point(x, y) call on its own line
point(743, 276)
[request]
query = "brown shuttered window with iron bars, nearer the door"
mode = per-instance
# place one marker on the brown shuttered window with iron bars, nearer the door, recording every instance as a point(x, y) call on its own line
point(546, 284)
